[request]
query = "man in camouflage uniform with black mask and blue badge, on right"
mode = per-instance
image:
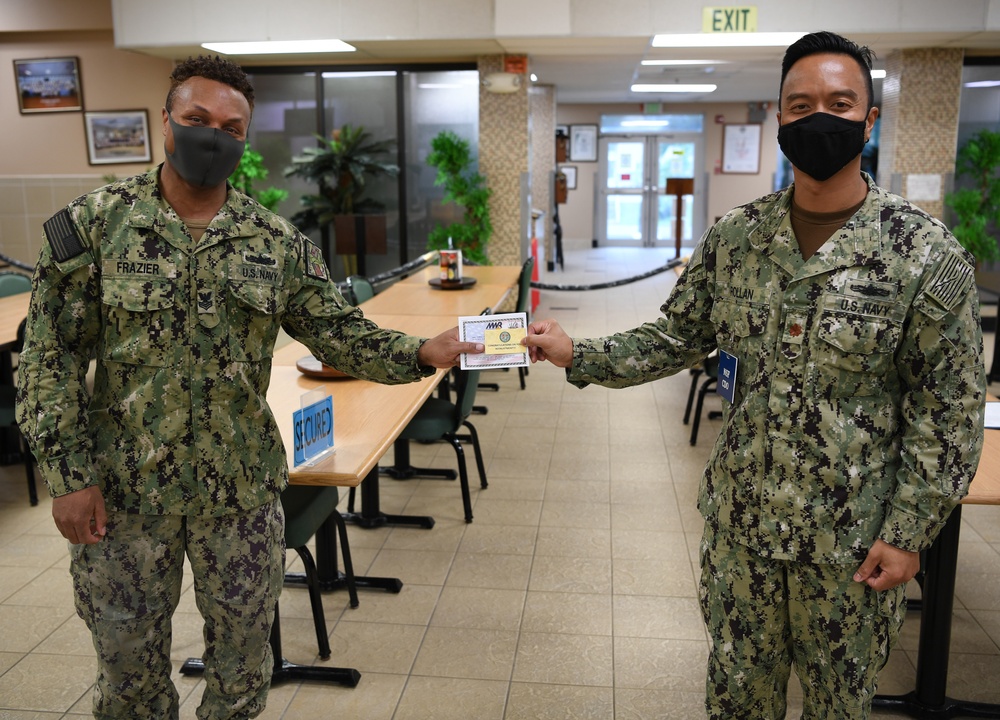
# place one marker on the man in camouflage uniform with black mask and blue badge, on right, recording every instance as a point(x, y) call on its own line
point(856, 418)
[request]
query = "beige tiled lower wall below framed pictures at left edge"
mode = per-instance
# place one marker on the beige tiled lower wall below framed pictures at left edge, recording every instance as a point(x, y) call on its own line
point(27, 202)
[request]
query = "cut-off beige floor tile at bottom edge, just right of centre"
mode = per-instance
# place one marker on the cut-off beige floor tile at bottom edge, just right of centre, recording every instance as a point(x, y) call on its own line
point(532, 701)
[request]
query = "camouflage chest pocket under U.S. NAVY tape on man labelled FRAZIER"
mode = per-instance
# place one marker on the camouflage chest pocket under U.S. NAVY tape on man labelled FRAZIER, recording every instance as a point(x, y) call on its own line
point(254, 313)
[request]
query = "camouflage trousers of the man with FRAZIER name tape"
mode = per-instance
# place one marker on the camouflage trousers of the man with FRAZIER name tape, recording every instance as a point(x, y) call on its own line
point(128, 585)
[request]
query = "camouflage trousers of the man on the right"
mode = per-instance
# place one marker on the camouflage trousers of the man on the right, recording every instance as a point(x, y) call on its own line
point(765, 615)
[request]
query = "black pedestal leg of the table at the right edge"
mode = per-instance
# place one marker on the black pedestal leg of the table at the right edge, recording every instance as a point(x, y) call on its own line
point(928, 700)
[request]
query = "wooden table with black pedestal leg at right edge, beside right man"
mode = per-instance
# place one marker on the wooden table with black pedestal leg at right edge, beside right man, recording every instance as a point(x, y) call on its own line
point(928, 699)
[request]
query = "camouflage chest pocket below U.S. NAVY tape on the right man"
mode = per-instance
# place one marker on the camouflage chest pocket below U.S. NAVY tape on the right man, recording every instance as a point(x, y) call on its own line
point(853, 354)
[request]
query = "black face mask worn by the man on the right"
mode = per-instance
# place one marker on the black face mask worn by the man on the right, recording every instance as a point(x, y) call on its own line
point(820, 145)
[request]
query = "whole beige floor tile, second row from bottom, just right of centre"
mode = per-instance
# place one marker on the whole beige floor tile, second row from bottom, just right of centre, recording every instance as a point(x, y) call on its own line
point(565, 659)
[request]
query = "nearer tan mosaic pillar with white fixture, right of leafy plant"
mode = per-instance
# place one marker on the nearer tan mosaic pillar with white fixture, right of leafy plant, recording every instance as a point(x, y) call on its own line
point(503, 158)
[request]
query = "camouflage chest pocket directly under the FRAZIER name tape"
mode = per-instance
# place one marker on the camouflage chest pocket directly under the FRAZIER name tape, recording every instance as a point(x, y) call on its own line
point(139, 320)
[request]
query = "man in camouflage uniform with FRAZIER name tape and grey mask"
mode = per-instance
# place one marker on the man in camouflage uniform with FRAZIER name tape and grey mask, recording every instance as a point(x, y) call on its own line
point(178, 285)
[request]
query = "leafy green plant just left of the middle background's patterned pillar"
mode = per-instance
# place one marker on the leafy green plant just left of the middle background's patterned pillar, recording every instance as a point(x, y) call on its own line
point(452, 156)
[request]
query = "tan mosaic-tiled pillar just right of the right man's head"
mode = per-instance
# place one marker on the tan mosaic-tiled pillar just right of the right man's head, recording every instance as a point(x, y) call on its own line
point(920, 104)
